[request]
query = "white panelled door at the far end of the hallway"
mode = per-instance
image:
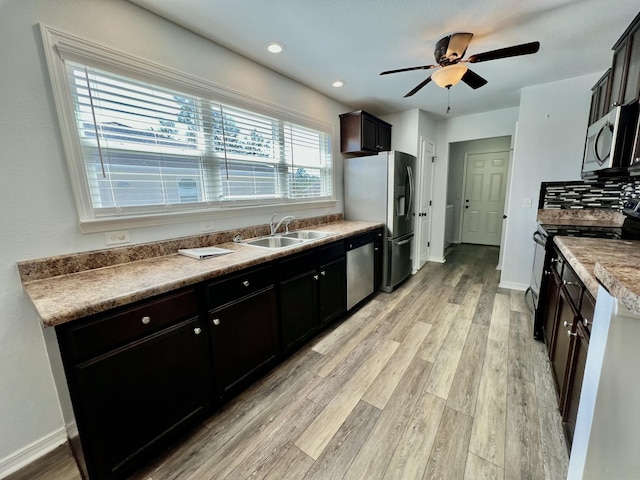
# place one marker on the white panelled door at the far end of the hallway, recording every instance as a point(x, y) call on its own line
point(484, 192)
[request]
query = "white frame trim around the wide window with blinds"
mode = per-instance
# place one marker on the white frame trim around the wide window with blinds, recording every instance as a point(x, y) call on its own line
point(60, 47)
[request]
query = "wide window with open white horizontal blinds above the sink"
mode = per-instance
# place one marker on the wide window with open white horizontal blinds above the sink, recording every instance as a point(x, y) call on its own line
point(143, 146)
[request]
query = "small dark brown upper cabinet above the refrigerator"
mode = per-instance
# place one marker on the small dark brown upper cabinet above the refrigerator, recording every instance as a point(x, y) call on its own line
point(363, 134)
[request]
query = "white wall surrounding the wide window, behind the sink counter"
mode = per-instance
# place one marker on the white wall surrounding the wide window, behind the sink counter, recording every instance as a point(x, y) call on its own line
point(38, 212)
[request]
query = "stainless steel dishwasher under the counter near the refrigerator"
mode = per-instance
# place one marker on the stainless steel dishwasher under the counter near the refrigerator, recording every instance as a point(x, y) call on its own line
point(359, 268)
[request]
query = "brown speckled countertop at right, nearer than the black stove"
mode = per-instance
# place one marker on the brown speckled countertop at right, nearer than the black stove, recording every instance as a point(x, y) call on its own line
point(613, 263)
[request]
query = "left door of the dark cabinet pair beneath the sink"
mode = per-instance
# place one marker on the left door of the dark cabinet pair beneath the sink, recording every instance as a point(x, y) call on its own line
point(299, 308)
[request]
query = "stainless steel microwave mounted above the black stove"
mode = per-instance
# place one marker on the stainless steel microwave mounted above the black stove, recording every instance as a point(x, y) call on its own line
point(609, 141)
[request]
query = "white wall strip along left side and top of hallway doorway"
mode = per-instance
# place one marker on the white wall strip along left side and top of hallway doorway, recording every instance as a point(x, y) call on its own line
point(496, 123)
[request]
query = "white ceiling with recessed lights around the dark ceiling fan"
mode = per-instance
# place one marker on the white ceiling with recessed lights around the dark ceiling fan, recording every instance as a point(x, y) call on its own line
point(354, 40)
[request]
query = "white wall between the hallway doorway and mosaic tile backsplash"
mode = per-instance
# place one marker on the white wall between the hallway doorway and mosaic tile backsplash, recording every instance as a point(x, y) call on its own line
point(552, 125)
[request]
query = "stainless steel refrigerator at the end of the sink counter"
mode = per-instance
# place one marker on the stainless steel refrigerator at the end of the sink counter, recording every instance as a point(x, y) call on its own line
point(381, 188)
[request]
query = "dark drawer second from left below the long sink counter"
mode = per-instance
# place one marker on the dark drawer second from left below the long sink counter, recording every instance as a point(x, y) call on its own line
point(239, 285)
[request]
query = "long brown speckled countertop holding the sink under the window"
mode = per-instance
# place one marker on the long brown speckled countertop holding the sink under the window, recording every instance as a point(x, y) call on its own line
point(67, 297)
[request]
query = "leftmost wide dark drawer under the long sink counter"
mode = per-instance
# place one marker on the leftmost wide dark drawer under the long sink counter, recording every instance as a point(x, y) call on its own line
point(109, 331)
